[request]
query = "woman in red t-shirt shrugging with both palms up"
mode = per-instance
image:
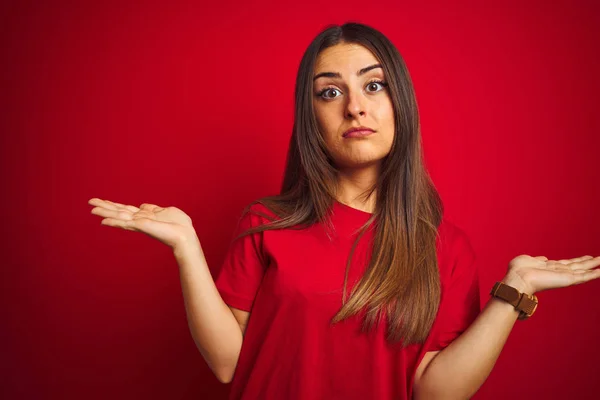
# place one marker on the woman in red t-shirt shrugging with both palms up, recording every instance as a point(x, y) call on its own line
point(349, 284)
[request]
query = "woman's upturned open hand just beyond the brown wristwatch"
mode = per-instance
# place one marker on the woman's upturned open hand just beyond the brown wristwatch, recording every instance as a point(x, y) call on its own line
point(534, 274)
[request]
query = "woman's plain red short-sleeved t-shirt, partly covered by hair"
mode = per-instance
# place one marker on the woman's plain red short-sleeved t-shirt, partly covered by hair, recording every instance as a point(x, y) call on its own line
point(291, 282)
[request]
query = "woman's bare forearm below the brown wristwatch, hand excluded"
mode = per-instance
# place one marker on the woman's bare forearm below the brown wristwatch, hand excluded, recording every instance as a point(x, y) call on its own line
point(459, 370)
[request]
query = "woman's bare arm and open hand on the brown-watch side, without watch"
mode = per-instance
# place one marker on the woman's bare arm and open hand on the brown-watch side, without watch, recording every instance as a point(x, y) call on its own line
point(458, 371)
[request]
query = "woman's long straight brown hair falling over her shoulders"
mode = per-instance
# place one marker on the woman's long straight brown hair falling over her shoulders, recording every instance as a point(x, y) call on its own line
point(402, 277)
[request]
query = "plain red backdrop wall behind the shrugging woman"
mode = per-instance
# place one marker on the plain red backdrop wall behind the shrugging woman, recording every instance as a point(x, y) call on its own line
point(191, 104)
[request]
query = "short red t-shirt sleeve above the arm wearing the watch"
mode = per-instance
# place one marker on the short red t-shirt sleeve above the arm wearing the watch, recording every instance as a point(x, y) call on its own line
point(460, 303)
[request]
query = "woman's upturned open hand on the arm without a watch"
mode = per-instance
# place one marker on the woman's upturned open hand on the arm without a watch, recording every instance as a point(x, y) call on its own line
point(169, 225)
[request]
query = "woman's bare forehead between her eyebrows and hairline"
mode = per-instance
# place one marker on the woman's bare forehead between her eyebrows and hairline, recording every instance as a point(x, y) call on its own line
point(346, 58)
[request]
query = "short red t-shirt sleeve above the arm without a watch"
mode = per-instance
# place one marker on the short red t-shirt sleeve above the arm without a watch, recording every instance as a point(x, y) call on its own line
point(243, 268)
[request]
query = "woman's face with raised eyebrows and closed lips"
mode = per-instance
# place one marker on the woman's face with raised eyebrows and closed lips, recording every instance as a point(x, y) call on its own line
point(349, 91)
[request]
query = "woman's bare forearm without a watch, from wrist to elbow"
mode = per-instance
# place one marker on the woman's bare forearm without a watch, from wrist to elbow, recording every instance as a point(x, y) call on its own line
point(213, 326)
